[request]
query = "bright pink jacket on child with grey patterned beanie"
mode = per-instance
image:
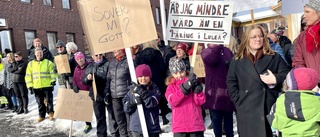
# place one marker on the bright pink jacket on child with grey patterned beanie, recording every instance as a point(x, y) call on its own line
point(186, 110)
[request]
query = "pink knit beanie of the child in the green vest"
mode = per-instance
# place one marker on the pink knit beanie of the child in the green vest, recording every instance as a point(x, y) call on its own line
point(302, 79)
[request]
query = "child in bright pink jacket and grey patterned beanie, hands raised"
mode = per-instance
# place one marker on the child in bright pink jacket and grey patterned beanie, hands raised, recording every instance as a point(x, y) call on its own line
point(185, 96)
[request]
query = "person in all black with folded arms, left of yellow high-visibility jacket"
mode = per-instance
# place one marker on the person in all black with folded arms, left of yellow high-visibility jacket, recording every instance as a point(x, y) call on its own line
point(18, 70)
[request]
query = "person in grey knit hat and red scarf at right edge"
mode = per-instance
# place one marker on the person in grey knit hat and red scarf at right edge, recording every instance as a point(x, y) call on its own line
point(307, 51)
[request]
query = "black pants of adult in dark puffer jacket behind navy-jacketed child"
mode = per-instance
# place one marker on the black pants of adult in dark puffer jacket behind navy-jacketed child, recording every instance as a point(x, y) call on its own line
point(120, 117)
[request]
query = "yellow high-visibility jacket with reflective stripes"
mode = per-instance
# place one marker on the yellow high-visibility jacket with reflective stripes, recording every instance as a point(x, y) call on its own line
point(40, 74)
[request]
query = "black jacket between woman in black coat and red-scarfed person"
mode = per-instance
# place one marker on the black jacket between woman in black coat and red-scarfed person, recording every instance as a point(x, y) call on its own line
point(287, 48)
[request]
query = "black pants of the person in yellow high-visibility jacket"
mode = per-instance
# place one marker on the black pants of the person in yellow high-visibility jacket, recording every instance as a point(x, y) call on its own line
point(40, 95)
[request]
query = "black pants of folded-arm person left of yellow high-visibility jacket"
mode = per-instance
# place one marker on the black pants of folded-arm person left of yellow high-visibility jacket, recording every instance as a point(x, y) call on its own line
point(22, 94)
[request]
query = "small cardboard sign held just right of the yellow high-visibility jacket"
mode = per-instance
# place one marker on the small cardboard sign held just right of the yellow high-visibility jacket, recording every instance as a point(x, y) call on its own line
point(62, 64)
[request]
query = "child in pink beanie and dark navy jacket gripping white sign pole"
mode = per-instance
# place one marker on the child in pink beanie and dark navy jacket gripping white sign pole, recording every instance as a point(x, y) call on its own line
point(149, 97)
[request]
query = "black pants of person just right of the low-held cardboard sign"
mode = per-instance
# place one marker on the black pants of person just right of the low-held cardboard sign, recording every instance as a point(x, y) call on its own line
point(99, 108)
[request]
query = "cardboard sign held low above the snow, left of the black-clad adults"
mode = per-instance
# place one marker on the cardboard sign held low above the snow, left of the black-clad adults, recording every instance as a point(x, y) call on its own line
point(73, 106)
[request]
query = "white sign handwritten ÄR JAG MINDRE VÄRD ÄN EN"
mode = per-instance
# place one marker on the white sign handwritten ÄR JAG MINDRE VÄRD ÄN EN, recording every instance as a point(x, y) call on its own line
point(200, 21)
